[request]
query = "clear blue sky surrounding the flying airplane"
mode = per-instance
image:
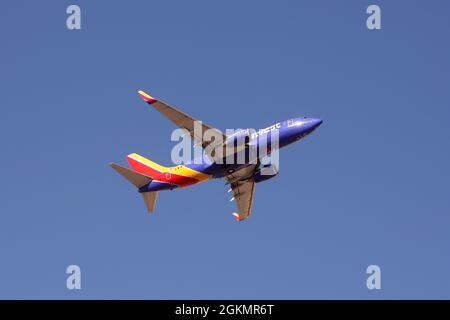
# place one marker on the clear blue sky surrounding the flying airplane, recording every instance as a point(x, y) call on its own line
point(370, 186)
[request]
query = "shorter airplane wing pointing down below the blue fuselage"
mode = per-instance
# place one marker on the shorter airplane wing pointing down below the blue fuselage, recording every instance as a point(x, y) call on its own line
point(243, 188)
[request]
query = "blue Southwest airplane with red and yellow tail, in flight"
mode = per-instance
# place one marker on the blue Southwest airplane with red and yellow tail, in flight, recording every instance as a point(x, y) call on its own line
point(150, 178)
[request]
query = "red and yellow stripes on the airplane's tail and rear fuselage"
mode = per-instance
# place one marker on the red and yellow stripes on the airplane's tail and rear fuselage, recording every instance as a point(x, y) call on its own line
point(179, 175)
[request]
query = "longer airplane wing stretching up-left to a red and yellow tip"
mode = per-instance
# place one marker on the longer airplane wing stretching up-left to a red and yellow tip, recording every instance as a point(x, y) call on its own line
point(181, 119)
